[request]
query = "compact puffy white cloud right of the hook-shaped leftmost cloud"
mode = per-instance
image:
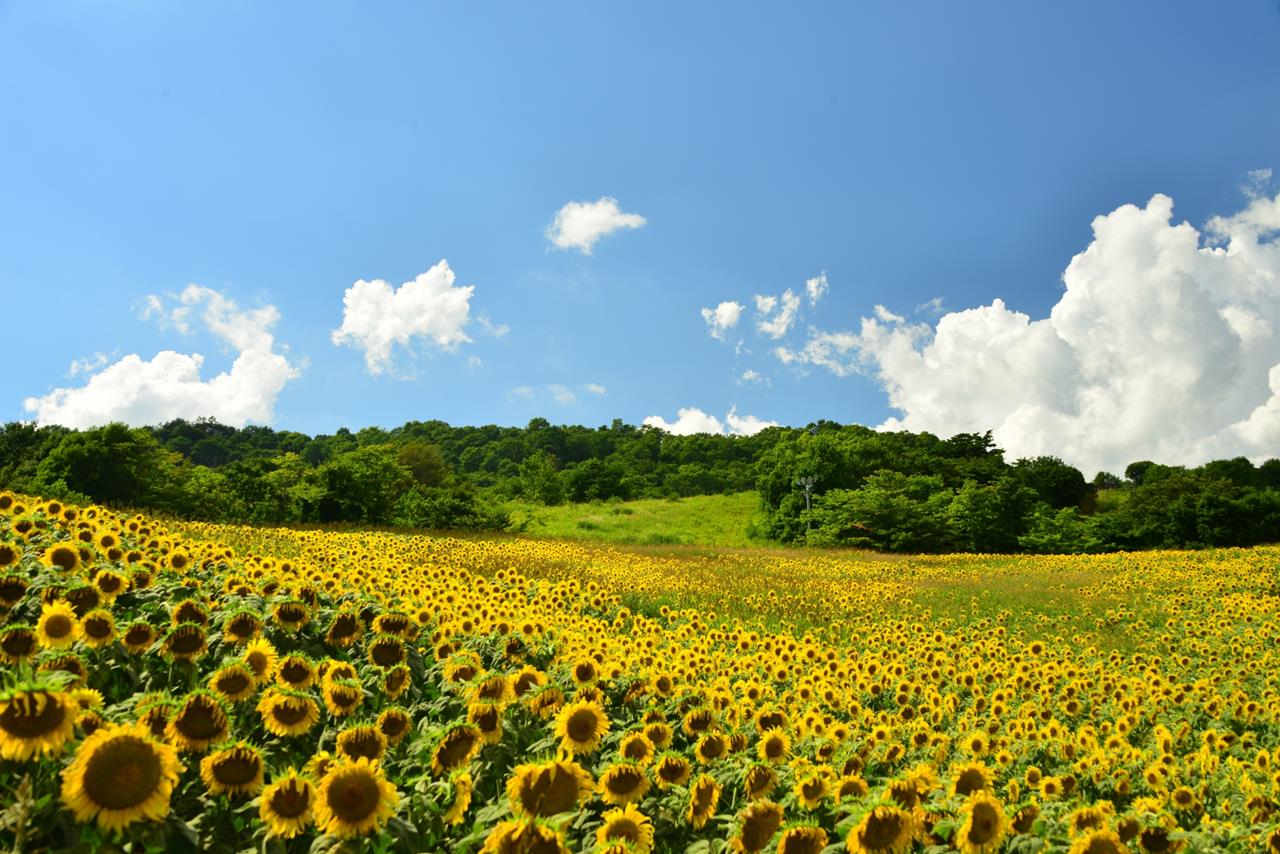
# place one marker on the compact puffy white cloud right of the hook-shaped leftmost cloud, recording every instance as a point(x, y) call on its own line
point(376, 317)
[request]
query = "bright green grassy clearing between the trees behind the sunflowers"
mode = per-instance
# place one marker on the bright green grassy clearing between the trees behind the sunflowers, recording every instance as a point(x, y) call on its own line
point(701, 520)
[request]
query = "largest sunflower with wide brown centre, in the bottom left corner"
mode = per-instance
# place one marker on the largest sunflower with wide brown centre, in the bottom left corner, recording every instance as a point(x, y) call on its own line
point(121, 775)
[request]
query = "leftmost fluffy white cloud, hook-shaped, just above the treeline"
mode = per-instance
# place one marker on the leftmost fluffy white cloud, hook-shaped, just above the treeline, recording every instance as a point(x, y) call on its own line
point(170, 386)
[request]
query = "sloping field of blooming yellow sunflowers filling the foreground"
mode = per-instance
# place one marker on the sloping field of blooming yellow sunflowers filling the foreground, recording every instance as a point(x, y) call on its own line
point(175, 687)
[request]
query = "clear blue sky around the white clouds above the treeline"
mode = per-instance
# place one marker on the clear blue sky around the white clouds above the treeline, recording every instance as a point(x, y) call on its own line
point(275, 154)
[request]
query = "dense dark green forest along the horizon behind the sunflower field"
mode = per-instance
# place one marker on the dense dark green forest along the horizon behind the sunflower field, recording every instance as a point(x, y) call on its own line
point(825, 486)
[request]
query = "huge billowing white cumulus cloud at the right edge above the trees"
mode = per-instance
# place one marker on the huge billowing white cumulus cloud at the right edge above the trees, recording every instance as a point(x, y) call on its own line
point(1164, 346)
